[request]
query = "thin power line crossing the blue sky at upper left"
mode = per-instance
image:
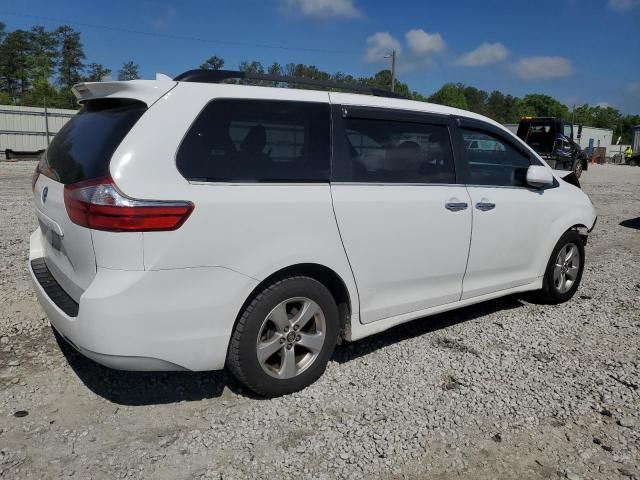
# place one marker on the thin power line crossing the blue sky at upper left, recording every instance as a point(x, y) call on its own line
point(181, 37)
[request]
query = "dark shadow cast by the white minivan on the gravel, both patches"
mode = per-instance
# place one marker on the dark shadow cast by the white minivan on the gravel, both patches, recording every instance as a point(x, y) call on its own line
point(155, 388)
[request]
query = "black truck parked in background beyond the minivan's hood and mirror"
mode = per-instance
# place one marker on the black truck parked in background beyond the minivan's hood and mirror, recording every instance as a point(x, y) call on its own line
point(553, 140)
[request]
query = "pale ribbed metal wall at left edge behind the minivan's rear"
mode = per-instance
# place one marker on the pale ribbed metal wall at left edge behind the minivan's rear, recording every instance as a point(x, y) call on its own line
point(24, 129)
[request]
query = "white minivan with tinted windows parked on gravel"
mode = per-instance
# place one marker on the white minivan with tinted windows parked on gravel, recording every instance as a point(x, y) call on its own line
point(193, 224)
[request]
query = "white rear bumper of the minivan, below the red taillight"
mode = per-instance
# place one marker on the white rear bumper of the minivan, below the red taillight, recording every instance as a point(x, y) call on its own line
point(150, 320)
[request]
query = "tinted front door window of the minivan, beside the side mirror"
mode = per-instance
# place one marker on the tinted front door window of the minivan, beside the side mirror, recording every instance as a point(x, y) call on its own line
point(493, 161)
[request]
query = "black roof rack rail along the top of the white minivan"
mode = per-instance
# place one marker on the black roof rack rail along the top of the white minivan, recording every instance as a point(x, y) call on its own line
point(218, 76)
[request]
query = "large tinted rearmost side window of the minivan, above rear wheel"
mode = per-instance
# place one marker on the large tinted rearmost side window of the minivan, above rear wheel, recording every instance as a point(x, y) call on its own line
point(256, 141)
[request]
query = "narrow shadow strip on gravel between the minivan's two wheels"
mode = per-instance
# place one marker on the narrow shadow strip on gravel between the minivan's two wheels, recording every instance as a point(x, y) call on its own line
point(421, 326)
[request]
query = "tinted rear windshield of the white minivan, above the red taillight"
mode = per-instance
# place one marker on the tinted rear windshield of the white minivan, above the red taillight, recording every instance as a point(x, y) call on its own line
point(82, 149)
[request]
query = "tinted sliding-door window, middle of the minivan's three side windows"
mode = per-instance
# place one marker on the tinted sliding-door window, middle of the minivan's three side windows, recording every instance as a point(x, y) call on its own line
point(398, 152)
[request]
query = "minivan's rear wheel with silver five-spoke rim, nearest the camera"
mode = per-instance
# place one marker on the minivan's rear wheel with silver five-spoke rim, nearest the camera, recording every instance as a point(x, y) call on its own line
point(284, 337)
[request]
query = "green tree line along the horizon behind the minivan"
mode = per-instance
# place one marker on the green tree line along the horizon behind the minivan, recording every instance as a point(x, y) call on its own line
point(40, 65)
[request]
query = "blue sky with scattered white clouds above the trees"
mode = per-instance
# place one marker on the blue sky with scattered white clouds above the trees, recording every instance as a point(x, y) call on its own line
point(579, 51)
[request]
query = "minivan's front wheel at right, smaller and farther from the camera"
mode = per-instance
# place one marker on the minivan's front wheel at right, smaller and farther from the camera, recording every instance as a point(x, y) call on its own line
point(564, 269)
